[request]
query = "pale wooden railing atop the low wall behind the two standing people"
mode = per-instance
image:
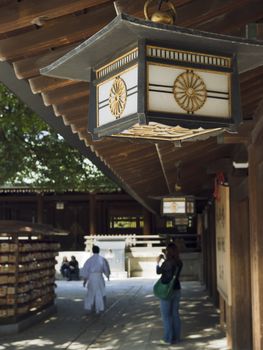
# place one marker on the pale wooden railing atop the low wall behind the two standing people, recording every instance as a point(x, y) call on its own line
point(185, 242)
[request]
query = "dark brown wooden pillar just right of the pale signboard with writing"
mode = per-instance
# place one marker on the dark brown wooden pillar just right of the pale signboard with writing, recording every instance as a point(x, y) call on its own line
point(239, 324)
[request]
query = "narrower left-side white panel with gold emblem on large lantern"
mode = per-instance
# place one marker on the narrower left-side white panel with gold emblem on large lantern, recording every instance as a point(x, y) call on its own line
point(126, 97)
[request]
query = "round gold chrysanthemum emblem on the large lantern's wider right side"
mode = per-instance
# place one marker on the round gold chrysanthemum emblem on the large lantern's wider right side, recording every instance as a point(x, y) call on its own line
point(190, 91)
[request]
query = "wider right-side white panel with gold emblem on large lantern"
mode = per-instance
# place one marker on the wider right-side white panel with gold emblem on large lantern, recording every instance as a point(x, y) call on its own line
point(174, 89)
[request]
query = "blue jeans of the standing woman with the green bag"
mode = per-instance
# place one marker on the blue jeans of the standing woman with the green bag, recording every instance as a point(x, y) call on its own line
point(171, 318)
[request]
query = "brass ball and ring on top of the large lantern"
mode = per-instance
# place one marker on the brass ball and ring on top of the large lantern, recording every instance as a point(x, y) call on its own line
point(161, 16)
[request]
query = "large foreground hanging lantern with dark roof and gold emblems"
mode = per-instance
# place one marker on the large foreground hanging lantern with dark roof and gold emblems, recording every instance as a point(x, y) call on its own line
point(143, 73)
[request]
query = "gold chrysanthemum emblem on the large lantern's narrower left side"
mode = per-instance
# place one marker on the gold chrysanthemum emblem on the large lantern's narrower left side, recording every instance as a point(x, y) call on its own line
point(118, 97)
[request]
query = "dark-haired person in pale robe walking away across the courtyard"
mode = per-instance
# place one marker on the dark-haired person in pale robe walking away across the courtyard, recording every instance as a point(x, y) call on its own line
point(92, 273)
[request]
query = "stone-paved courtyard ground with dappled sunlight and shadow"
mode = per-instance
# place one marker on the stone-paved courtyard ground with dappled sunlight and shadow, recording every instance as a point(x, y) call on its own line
point(131, 321)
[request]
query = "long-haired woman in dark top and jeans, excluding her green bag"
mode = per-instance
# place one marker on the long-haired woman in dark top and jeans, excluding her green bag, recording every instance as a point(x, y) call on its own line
point(172, 265)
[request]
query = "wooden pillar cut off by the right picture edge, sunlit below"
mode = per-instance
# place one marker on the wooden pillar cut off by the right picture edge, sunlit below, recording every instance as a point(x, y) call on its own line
point(256, 226)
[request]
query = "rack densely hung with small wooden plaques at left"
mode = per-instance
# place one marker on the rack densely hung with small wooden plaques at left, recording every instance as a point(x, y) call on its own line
point(27, 271)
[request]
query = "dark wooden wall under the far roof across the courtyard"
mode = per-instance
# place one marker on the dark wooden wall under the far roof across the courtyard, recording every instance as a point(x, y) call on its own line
point(83, 214)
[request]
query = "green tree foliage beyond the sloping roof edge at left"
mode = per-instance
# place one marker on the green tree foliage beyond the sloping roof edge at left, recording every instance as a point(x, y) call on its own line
point(32, 154)
